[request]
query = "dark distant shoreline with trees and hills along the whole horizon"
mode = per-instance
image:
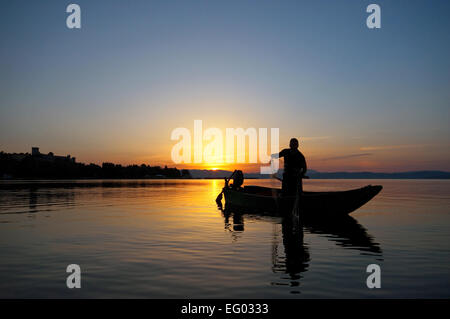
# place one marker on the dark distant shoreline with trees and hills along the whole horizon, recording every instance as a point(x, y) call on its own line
point(38, 166)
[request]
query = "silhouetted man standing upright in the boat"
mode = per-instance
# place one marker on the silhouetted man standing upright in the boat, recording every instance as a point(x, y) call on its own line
point(294, 168)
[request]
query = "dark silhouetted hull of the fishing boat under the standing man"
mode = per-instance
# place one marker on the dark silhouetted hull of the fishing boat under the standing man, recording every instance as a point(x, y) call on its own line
point(257, 198)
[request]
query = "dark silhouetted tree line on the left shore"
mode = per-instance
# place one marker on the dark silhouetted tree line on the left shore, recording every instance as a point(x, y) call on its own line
point(30, 166)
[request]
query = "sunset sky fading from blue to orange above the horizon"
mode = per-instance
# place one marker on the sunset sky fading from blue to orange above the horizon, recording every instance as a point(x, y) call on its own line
point(357, 99)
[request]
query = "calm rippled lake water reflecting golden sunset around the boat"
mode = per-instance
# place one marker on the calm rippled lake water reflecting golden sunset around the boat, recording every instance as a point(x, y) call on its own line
point(168, 239)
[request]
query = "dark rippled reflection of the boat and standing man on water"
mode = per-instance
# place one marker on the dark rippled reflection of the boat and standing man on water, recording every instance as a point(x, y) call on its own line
point(294, 260)
